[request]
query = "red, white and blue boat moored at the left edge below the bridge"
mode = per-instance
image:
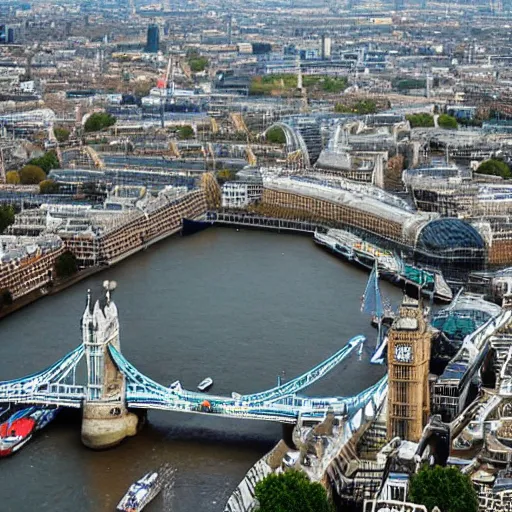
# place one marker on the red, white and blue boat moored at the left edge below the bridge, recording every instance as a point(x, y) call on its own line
point(18, 427)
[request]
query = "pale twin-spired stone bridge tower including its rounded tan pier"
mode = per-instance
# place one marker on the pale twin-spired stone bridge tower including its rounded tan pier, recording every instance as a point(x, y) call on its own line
point(105, 419)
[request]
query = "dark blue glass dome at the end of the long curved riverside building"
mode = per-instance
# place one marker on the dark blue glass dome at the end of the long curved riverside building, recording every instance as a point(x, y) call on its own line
point(450, 236)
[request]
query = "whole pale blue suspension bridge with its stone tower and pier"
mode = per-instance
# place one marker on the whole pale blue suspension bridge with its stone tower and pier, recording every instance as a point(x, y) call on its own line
point(115, 390)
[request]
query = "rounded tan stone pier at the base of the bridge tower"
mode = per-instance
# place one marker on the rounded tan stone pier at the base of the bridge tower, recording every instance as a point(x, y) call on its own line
point(106, 424)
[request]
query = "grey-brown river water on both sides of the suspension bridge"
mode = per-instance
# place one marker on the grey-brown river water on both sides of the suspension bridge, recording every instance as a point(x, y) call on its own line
point(239, 306)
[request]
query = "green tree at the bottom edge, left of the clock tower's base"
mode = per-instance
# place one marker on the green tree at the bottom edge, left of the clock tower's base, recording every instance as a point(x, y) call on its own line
point(291, 491)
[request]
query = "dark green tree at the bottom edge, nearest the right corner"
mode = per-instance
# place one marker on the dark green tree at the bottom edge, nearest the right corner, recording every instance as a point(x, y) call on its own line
point(445, 488)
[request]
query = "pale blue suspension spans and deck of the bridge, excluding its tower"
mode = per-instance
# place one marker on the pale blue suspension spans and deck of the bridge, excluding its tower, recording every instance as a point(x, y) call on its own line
point(57, 386)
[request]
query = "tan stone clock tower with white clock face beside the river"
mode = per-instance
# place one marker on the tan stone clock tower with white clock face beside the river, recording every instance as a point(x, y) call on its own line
point(409, 341)
